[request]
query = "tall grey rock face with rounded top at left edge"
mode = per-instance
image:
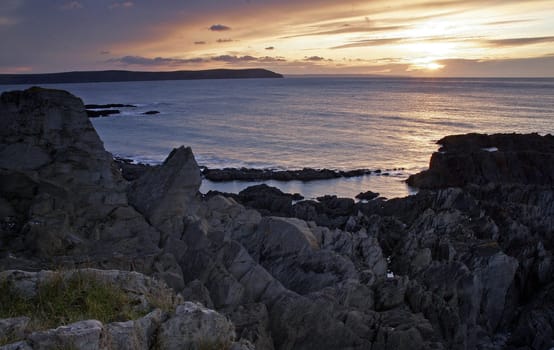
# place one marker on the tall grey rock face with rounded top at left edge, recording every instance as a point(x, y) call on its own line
point(59, 189)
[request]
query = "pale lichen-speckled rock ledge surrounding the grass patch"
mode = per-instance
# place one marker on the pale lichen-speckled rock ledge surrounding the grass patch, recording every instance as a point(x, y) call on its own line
point(187, 326)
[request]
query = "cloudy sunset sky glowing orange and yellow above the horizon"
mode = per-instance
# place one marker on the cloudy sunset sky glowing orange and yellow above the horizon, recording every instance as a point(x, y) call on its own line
point(473, 38)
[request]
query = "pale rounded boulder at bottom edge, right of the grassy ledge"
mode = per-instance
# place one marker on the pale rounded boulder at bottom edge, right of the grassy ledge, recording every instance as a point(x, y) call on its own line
point(194, 326)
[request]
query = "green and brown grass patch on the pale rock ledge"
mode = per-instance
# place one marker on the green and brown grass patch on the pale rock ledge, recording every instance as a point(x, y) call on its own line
point(64, 300)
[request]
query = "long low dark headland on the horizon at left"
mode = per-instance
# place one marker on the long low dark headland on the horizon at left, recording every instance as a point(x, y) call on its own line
point(123, 75)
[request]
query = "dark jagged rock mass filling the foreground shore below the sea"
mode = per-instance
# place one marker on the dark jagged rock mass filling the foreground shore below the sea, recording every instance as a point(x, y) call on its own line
point(464, 267)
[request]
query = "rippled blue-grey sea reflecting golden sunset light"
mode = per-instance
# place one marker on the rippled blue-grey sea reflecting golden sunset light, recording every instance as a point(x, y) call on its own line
point(391, 124)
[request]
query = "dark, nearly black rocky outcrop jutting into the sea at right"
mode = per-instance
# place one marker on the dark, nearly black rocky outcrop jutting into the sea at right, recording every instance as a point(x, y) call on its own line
point(480, 159)
